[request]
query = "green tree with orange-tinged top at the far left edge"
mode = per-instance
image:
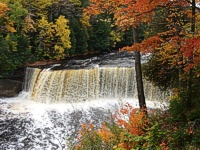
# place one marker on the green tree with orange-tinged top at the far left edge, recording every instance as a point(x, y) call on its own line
point(15, 44)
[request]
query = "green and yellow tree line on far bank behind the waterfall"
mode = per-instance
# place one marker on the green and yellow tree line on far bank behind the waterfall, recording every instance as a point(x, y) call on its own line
point(52, 30)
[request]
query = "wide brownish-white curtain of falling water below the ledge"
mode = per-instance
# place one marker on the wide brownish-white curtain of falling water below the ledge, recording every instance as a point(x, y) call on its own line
point(56, 86)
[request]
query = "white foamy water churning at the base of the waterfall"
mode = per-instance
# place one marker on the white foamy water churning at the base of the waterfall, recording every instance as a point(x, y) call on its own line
point(25, 124)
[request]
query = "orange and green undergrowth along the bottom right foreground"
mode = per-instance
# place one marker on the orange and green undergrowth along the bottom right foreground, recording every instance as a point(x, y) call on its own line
point(130, 129)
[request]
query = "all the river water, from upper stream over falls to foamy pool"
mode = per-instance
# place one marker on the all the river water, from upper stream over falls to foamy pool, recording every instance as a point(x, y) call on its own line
point(56, 100)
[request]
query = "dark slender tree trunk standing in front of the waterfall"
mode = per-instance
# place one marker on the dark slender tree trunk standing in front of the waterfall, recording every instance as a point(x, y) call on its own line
point(138, 69)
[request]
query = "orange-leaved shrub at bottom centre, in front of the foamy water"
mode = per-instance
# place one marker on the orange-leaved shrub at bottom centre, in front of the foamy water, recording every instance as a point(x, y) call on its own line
point(128, 122)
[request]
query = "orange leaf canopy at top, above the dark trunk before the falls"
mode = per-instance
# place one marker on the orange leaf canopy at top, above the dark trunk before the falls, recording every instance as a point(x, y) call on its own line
point(127, 13)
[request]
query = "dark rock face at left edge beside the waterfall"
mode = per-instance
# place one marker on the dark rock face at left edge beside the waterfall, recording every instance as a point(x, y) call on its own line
point(10, 88)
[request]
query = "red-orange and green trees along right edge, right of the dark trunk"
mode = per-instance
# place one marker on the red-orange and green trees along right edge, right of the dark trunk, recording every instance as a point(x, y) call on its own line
point(175, 59)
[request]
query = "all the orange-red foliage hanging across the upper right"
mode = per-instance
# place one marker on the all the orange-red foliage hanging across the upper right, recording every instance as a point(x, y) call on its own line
point(176, 40)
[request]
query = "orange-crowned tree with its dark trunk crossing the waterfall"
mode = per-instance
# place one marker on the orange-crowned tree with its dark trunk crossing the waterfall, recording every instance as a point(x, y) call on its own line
point(129, 14)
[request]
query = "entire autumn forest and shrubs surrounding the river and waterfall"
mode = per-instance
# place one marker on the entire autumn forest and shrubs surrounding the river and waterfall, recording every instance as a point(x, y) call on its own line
point(168, 30)
